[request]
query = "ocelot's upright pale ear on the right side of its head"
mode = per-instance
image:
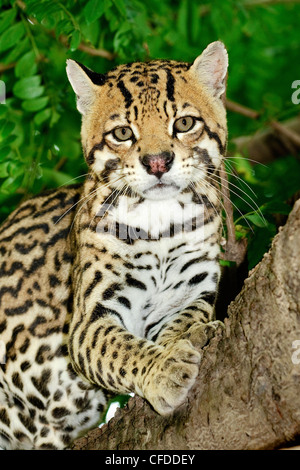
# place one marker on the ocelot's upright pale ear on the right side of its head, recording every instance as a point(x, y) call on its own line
point(211, 68)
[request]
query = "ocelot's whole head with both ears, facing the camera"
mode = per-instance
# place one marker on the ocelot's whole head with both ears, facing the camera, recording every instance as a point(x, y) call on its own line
point(156, 128)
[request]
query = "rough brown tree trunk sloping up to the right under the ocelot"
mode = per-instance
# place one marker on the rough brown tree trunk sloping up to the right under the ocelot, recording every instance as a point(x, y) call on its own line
point(247, 391)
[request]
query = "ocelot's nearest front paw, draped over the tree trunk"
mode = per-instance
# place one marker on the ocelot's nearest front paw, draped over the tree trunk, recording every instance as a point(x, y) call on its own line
point(172, 378)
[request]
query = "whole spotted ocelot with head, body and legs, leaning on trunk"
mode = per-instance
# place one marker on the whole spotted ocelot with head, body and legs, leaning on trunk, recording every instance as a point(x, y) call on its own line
point(109, 287)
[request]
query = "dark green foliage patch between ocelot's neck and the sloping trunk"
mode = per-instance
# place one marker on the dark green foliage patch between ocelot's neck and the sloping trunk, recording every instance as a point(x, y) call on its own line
point(260, 196)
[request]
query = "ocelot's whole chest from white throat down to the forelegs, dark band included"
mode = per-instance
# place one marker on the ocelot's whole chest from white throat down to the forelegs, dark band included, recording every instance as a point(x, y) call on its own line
point(158, 257)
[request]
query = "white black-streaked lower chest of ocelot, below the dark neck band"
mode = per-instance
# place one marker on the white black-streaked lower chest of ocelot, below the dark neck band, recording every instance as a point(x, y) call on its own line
point(162, 277)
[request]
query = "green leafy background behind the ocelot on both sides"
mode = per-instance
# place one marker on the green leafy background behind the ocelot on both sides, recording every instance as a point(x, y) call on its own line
point(39, 124)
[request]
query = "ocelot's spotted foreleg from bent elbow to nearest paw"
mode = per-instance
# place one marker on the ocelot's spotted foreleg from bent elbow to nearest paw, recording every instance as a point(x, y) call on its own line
point(106, 354)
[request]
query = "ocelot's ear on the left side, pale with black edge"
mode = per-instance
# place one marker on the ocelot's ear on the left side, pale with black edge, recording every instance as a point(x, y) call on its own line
point(84, 83)
